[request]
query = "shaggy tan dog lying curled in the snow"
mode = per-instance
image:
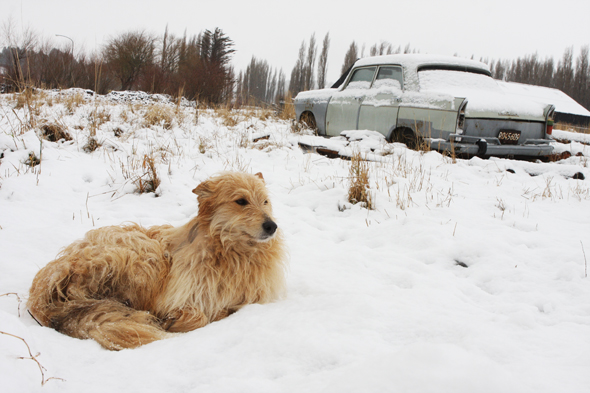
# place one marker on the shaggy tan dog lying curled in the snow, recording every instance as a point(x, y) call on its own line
point(126, 286)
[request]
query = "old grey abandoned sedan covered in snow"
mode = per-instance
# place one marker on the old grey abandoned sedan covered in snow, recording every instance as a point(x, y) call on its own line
point(445, 103)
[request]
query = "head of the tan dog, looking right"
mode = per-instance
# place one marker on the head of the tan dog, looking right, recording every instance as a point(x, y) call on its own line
point(236, 207)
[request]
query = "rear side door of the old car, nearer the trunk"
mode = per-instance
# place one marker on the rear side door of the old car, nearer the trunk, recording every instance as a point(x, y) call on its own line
point(379, 109)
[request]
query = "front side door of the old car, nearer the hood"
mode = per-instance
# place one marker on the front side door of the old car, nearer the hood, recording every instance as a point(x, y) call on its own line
point(343, 108)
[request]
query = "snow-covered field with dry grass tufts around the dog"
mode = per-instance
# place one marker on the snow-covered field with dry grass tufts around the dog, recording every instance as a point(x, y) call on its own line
point(467, 276)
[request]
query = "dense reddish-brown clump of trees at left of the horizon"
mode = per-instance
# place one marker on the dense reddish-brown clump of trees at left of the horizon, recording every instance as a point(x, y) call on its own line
point(197, 67)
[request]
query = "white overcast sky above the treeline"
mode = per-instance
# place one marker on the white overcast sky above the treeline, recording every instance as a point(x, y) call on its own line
point(274, 30)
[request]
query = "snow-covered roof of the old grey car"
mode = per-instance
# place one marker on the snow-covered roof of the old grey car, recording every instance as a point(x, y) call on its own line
point(418, 61)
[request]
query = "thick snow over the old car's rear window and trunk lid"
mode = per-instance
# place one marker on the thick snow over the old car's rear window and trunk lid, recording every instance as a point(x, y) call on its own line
point(486, 98)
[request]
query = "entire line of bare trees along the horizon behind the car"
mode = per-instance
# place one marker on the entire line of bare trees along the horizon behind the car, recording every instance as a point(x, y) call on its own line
point(199, 67)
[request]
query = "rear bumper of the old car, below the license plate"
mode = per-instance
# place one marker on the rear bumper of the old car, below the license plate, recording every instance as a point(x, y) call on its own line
point(491, 147)
